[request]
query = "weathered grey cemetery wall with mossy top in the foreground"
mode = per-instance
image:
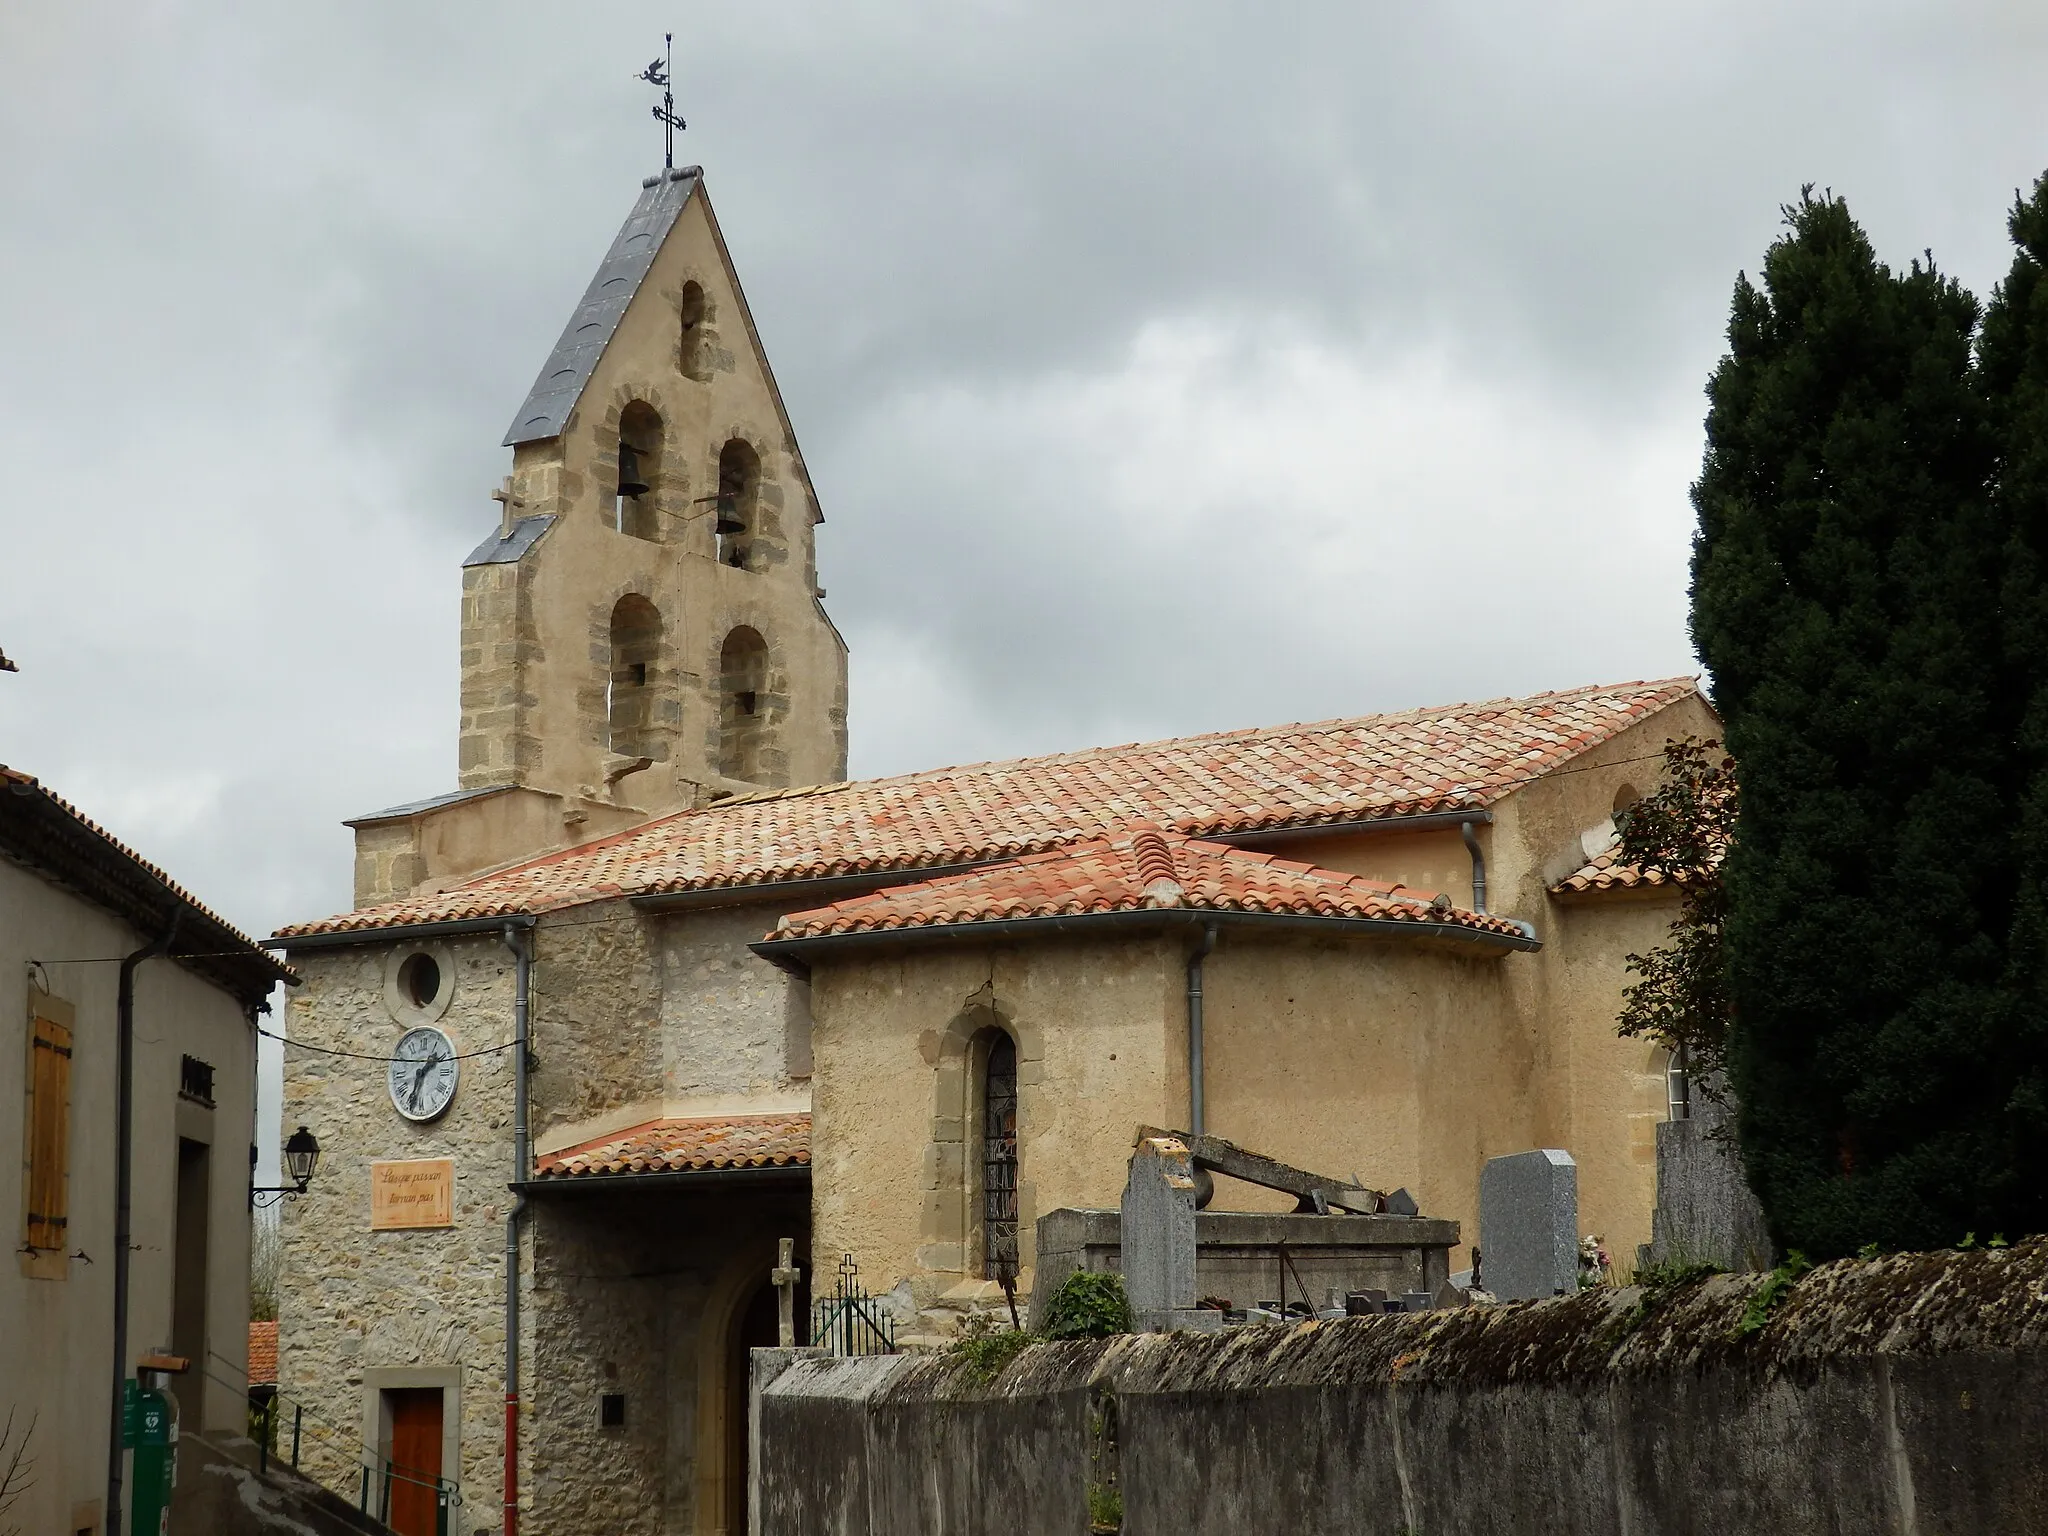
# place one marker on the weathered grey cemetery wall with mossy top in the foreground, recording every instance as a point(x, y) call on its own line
point(1897, 1396)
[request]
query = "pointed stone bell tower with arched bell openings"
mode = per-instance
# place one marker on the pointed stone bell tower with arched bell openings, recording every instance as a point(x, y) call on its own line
point(644, 632)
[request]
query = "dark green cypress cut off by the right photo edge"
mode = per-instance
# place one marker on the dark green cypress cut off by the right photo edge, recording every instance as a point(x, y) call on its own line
point(2014, 378)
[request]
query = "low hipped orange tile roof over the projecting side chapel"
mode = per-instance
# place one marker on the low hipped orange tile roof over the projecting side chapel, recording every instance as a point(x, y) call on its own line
point(1138, 871)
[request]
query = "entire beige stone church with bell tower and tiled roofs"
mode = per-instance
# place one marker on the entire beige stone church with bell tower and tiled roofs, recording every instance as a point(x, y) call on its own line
point(656, 988)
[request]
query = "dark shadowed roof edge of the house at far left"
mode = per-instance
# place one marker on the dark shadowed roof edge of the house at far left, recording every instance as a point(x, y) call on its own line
point(50, 835)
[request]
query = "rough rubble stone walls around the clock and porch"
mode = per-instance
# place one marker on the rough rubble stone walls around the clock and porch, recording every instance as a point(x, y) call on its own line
point(634, 1017)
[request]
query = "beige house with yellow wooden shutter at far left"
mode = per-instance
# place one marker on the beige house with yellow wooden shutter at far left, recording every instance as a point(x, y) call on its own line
point(101, 947)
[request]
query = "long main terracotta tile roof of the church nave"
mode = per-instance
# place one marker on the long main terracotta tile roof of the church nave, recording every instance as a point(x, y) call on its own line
point(1457, 757)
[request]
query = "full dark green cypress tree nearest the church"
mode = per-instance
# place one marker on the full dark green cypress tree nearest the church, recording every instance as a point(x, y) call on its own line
point(1844, 603)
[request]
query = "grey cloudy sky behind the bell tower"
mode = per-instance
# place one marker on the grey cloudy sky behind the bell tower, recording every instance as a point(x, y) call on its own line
point(1162, 368)
